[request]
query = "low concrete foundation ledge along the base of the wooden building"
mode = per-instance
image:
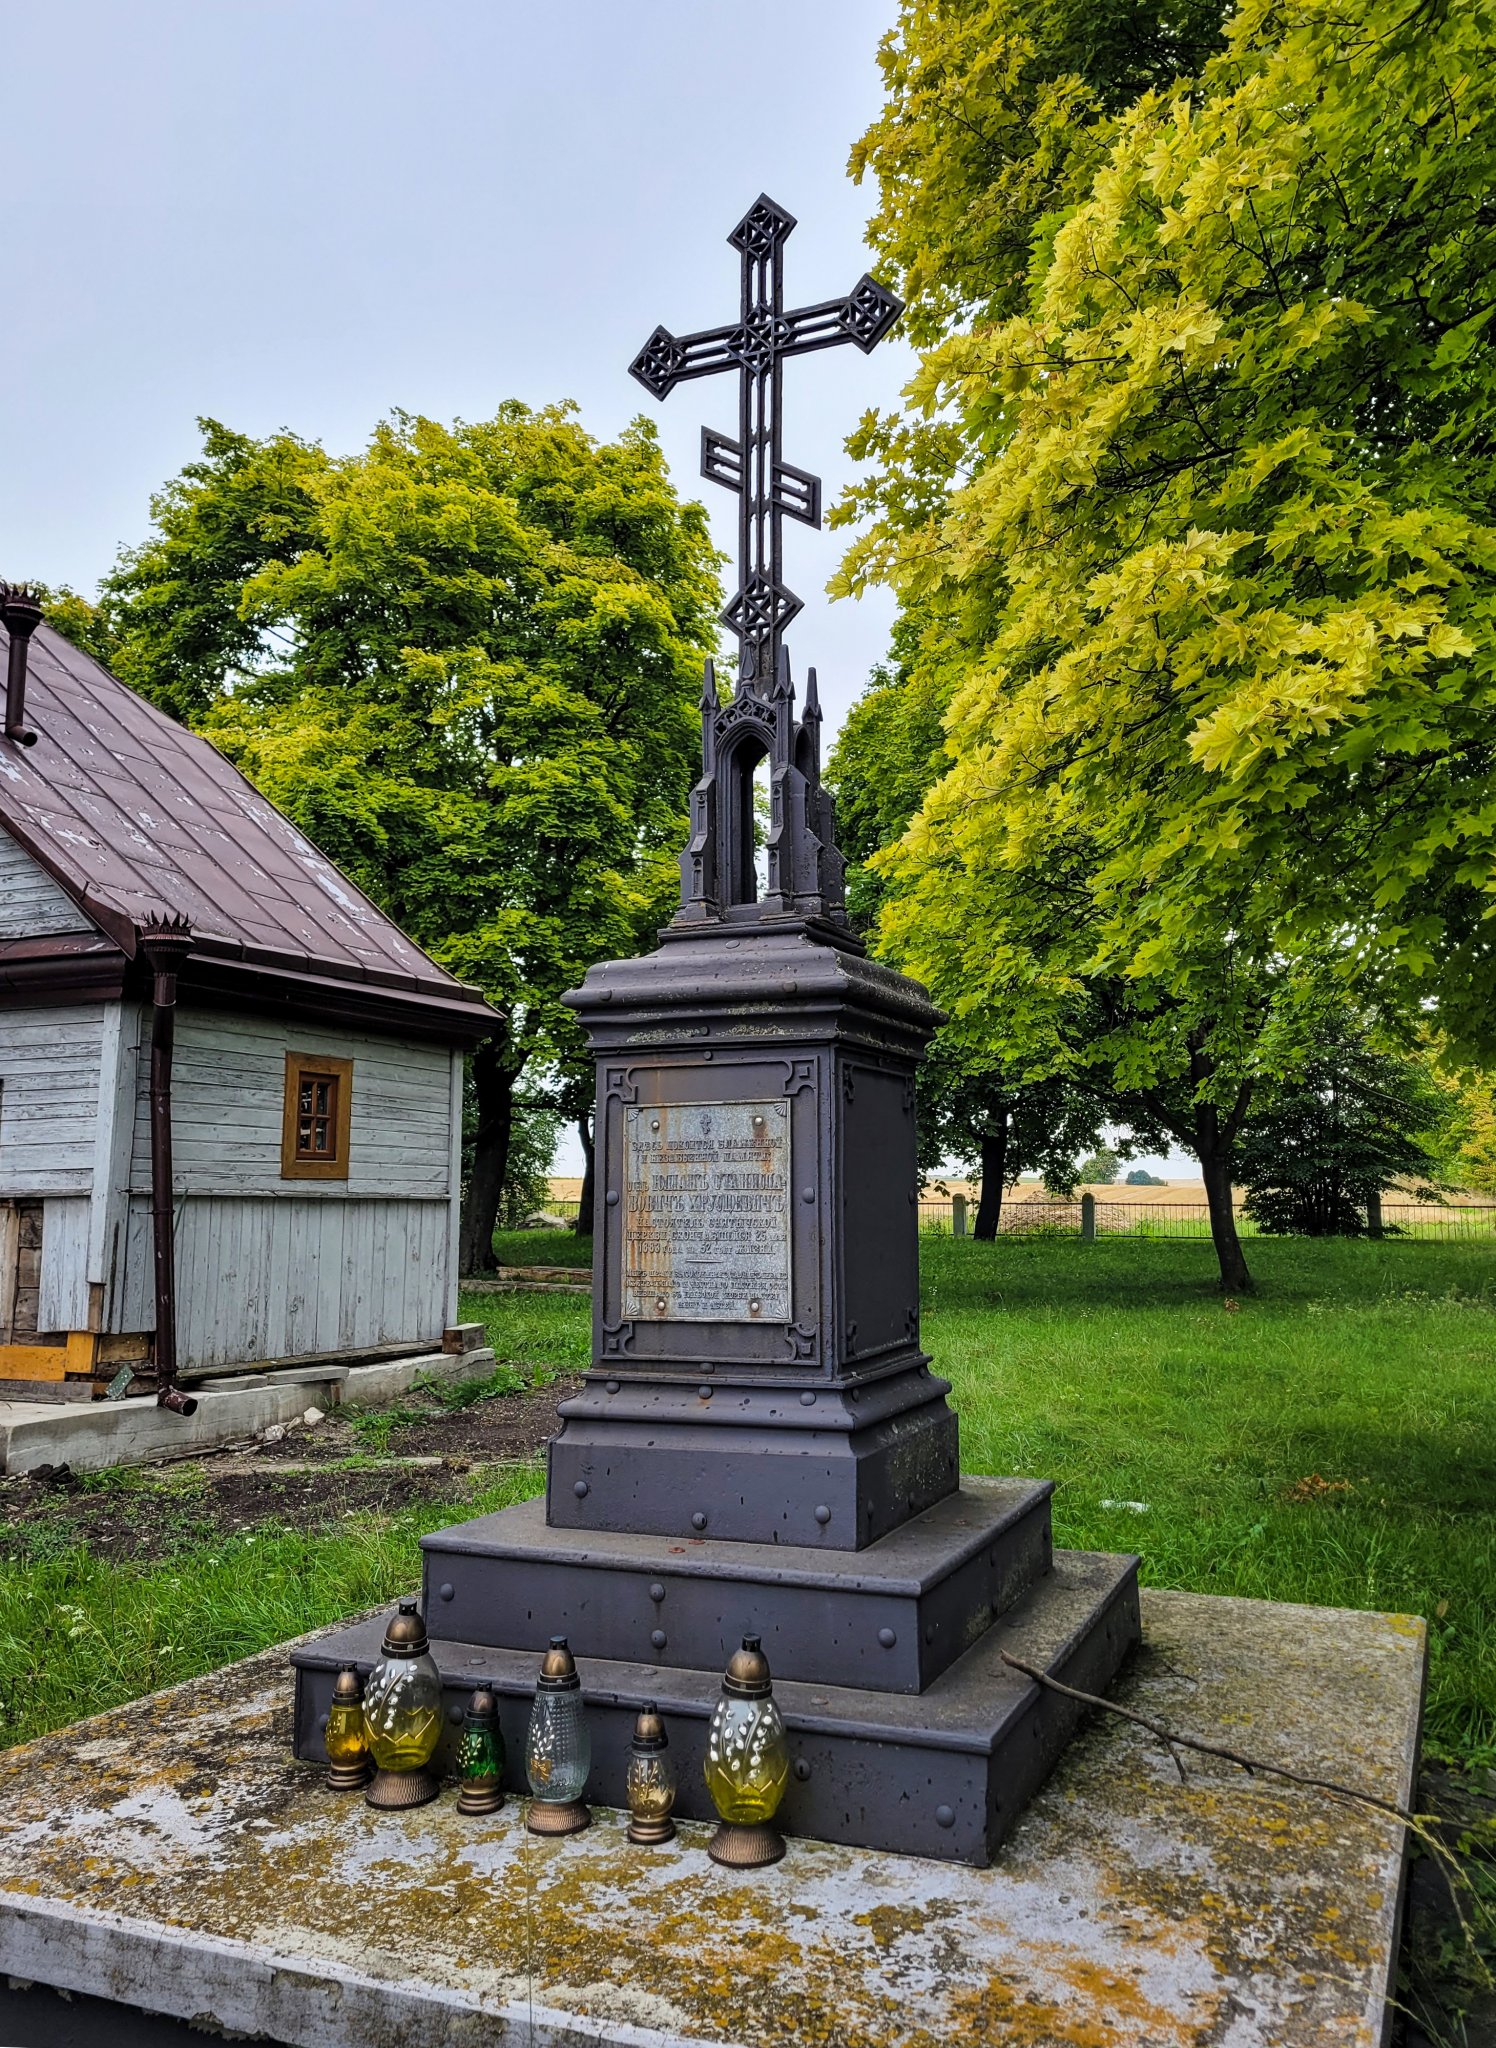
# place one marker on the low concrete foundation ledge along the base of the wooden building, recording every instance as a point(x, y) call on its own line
point(91, 1439)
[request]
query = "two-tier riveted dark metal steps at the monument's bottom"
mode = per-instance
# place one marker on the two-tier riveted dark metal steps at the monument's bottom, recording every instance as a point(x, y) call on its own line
point(923, 1744)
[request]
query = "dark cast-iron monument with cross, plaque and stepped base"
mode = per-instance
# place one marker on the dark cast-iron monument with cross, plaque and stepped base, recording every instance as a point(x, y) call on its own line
point(761, 1445)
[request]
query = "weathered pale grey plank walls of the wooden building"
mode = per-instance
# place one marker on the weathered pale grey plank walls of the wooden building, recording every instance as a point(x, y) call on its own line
point(267, 1269)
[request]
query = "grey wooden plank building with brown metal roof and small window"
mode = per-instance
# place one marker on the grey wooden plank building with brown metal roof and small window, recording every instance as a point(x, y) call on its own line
point(317, 1084)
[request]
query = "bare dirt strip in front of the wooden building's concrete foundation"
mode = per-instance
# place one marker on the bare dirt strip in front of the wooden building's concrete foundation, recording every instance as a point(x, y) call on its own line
point(155, 1512)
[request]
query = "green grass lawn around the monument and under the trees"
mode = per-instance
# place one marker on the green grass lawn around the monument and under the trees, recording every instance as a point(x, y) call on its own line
point(1329, 1441)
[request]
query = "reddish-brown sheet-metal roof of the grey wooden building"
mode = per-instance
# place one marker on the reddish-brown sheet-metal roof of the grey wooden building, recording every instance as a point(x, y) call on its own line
point(140, 818)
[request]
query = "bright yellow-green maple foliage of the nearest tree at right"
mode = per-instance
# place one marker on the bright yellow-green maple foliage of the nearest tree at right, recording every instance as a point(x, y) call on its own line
point(1214, 593)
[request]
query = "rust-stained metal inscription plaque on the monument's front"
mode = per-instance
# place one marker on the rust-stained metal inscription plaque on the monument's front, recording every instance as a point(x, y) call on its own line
point(706, 1213)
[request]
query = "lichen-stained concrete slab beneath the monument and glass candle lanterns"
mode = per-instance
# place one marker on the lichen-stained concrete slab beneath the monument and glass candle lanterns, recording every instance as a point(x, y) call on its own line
point(175, 1859)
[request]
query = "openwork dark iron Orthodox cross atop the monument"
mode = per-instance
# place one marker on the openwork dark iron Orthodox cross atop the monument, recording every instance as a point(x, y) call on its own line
point(757, 345)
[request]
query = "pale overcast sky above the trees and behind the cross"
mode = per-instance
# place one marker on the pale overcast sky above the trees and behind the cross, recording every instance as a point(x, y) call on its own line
point(310, 212)
